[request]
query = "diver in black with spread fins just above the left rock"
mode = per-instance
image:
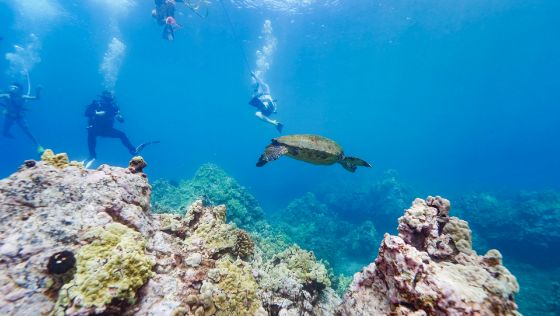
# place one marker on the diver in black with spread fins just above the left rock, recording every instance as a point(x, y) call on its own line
point(101, 114)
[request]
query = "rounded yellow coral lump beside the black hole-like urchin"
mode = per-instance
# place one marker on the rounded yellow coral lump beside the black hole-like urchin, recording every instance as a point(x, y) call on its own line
point(112, 266)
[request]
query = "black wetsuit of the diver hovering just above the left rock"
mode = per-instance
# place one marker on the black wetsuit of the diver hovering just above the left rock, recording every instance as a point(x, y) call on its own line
point(102, 125)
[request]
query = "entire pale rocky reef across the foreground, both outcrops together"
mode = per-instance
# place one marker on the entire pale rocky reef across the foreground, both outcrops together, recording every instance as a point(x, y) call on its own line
point(83, 242)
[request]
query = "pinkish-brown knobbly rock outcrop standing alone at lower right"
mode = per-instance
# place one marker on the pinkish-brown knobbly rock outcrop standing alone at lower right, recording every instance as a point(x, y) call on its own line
point(431, 269)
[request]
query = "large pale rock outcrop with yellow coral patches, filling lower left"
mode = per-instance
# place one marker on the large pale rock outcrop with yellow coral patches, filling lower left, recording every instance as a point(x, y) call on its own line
point(83, 242)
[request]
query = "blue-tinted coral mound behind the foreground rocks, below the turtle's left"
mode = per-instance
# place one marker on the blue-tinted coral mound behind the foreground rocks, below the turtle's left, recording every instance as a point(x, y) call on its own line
point(213, 185)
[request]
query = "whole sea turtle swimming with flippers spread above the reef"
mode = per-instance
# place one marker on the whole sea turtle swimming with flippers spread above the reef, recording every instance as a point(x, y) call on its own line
point(314, 149)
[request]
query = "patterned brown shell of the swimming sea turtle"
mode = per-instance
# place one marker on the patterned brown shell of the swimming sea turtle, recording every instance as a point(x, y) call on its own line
point(311, 148)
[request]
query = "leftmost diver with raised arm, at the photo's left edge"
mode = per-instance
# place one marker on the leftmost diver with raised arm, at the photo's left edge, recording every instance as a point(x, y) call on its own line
point(14, 104)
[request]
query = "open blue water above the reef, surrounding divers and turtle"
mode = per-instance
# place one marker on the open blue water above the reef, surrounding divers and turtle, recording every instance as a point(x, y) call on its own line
point(457, 96)
